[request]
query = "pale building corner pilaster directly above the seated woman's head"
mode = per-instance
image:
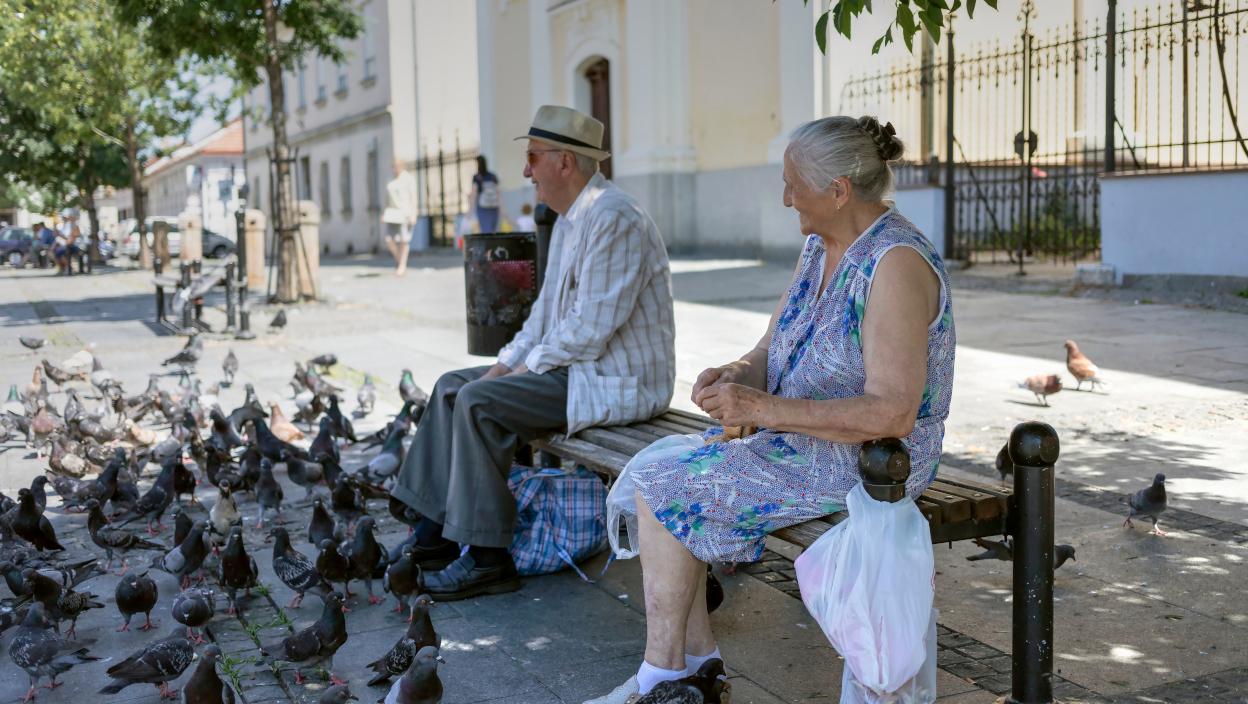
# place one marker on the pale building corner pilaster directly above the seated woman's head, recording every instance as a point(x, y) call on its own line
point(802, 81)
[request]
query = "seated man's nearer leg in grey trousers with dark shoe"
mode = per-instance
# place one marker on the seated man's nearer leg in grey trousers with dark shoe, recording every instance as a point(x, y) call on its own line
point(492, 419)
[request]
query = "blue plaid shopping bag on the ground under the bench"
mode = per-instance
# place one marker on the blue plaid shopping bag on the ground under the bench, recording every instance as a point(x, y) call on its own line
point(561, 519)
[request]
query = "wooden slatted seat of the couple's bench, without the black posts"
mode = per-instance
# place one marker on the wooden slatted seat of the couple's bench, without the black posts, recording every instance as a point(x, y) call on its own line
point(957, 510)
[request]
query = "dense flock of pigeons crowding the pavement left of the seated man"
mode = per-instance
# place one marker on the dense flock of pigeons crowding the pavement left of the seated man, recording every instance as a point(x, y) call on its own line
point(95, 460)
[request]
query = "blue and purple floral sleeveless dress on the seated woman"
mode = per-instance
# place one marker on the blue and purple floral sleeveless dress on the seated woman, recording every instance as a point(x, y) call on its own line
point(723, 499)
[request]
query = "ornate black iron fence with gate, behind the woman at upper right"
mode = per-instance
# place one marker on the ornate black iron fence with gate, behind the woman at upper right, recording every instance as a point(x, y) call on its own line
point(1034, 130)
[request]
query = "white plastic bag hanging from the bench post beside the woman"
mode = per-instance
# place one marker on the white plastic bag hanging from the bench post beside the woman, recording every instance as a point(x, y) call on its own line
point(869, 584)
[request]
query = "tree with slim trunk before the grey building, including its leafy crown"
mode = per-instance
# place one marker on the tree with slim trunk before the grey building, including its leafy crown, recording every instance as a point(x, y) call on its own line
point(256, 41)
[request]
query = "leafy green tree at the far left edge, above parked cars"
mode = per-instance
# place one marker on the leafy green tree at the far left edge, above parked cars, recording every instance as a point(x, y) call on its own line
point(89, 98)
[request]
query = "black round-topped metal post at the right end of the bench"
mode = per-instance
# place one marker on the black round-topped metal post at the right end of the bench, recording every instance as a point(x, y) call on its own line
point(1034, 449)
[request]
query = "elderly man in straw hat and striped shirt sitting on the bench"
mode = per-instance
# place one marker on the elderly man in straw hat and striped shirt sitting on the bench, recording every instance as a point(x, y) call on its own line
point(598, 348)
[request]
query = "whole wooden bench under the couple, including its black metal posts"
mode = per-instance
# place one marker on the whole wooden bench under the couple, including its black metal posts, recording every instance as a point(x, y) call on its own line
point(957, 510)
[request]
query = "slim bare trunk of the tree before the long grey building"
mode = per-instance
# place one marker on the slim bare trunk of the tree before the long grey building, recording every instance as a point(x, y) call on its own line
point(285, 227)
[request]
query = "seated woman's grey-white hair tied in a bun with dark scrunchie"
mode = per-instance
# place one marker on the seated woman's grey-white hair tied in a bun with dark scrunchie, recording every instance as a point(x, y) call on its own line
point(832, 148)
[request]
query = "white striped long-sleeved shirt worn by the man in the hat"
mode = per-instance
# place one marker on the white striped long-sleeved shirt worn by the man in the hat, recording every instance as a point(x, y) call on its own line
point(605, 311)
